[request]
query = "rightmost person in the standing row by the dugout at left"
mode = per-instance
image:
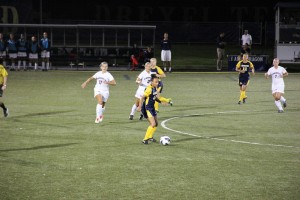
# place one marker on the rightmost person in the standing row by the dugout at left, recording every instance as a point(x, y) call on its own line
point(45, 51)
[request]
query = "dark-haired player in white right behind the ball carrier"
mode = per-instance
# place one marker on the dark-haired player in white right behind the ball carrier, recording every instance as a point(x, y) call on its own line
point(143, 80)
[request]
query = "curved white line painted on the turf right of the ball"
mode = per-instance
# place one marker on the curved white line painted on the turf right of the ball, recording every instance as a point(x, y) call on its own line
point(163, 124)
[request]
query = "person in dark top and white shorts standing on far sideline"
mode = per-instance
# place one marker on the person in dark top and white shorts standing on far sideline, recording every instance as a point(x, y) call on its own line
point(165, 45)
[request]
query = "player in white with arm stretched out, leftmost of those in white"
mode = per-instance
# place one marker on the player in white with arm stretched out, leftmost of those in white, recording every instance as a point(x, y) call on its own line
point(101, 90)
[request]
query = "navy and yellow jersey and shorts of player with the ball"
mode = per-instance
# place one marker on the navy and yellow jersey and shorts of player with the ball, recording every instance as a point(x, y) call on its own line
point(148, 109)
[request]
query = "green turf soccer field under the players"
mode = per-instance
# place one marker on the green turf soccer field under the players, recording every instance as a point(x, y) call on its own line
point(50, 147)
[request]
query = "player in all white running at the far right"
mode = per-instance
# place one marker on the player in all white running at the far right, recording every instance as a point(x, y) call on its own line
point(277, 72)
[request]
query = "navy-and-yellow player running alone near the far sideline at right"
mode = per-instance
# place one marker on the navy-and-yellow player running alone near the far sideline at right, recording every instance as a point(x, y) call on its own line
point(243, 67)
